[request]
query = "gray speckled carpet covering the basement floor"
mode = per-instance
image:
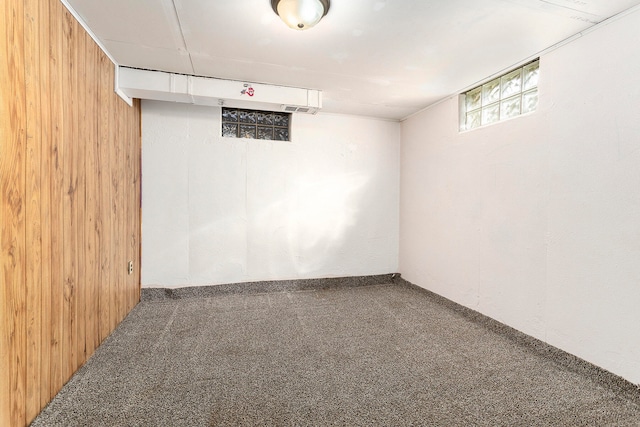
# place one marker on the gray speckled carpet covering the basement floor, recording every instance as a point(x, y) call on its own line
point(375, 355)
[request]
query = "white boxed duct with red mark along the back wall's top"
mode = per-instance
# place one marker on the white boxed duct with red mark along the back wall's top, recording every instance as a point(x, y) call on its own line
point(162, 86)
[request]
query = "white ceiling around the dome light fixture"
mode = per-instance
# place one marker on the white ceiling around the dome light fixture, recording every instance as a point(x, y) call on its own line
point(381, 58)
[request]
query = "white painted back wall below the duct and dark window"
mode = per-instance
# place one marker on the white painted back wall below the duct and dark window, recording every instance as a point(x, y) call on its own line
point(218, 210)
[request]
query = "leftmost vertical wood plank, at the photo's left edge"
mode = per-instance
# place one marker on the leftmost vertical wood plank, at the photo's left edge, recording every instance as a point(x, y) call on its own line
point(12, 208)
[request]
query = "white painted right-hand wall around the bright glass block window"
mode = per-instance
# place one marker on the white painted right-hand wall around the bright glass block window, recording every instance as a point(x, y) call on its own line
point(535, 221)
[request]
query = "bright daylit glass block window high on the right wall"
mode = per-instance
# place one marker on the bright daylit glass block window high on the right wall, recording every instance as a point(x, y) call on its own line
point(507, 96)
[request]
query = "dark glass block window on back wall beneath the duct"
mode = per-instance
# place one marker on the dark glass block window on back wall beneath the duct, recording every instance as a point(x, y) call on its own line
point(240, 123)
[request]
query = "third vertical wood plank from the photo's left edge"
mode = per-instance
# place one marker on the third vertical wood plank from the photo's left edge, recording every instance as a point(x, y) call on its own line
point(45, 203)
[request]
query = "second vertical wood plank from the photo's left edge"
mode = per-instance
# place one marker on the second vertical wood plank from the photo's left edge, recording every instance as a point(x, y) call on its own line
point(33, 283)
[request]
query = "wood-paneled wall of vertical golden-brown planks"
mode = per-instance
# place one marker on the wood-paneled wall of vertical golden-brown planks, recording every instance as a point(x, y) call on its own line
point(70, 203)
